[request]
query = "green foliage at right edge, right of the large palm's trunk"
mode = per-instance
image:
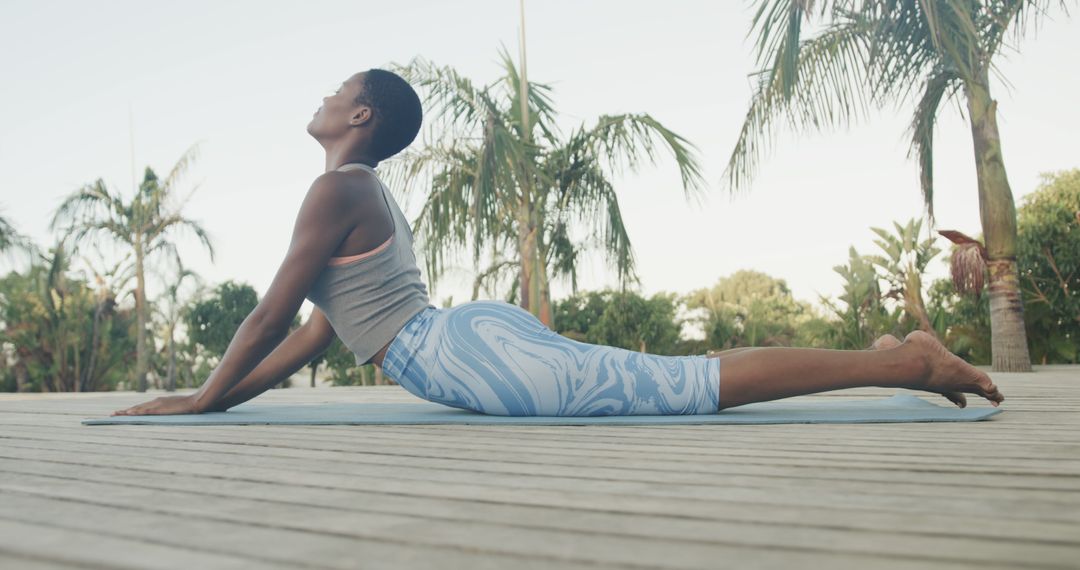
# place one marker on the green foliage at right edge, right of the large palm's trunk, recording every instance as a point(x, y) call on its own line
point(1048, 253)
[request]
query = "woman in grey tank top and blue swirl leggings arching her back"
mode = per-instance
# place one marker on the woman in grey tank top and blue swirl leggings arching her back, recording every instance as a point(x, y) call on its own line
point(352, 255)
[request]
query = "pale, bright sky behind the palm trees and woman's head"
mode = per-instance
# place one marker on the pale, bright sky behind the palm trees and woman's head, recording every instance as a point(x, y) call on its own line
point(242, 78)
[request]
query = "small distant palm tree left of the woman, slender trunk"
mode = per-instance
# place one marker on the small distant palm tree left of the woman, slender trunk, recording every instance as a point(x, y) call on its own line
point(147, 224)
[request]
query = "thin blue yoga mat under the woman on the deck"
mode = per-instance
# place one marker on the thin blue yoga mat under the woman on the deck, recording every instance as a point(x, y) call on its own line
point(899, 409)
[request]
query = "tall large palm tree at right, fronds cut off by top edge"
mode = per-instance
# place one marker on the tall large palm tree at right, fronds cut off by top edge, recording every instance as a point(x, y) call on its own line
point(885, 52)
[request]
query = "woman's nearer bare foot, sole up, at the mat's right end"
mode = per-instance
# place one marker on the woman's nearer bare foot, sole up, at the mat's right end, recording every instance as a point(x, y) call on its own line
point(949, 375)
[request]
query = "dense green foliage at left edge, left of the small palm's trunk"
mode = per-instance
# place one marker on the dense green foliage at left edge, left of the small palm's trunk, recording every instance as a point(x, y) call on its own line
point(61, 335)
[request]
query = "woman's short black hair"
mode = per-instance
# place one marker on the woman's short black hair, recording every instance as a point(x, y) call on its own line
point(397, 108)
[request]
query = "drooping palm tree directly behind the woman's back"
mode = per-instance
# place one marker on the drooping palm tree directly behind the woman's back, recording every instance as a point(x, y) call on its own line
point(503, 180)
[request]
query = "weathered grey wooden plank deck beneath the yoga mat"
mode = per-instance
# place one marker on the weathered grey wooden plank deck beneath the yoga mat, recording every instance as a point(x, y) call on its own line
point(1000, 494)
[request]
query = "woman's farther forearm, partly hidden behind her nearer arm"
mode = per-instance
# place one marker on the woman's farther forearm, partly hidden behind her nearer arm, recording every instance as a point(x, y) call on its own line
point(294, 354)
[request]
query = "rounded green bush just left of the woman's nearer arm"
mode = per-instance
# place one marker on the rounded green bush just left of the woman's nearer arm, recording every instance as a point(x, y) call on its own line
point(213, 321)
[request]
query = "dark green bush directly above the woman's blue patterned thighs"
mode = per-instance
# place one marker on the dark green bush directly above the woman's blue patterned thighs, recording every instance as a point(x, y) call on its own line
point(620, 319)
